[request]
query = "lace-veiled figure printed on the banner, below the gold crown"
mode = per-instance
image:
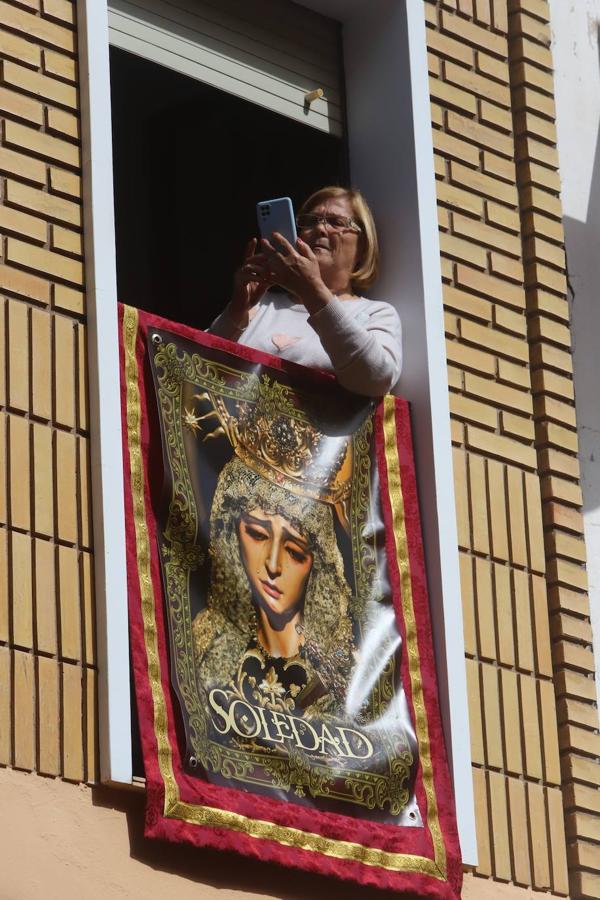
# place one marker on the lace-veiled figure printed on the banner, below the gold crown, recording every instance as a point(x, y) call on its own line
point(277, 611)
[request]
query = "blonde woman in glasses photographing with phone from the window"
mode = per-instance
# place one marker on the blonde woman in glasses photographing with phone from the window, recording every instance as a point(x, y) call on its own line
point(318, 317)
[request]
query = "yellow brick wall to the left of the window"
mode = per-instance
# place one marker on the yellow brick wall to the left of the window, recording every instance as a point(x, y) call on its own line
point(47, 657)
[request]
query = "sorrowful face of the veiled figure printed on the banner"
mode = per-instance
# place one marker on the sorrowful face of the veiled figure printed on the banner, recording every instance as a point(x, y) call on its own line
point(277, 559)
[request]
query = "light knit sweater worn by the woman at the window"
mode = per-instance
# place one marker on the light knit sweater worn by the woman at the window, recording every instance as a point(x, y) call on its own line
point(360, 340)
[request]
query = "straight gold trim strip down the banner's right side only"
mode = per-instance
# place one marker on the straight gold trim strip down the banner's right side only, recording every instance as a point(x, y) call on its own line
point(414, 664)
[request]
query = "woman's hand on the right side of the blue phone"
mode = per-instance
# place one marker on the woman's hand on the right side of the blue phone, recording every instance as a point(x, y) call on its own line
point(296, 269)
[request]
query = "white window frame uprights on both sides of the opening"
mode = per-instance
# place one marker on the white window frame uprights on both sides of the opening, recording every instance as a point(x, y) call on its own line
point(384, 145)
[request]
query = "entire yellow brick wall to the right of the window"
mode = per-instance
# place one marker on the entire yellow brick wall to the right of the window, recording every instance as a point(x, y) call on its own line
point(527, 631)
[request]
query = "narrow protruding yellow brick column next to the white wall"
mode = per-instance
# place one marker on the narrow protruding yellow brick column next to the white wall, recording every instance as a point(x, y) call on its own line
point(556, 438)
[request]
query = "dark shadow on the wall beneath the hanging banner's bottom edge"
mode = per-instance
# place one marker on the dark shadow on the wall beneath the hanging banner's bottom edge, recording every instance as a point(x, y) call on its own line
point(222, 870)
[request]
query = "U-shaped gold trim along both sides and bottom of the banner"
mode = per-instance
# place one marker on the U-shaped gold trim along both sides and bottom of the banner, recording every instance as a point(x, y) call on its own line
point(210, 816)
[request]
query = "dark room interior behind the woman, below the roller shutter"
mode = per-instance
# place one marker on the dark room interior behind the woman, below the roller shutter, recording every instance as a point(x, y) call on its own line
point(190, 164)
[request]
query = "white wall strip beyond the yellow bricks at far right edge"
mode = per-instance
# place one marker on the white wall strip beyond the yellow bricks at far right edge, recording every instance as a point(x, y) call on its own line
point(575, 28)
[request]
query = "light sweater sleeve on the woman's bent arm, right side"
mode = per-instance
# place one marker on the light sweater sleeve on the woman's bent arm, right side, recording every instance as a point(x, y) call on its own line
point(366, 355)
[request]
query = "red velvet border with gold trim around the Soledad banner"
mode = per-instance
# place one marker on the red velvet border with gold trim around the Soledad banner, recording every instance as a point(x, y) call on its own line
point(181, 808)
